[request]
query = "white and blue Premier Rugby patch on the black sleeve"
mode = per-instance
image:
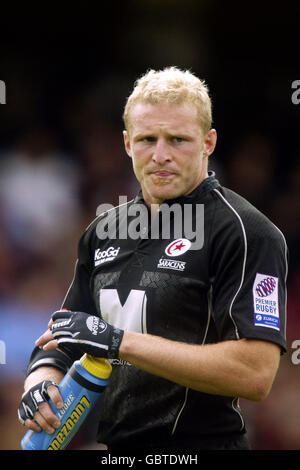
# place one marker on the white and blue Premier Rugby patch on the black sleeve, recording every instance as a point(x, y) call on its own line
point(265, 299)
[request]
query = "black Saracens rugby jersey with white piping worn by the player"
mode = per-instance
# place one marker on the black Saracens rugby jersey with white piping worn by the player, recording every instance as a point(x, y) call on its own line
point(231, 284)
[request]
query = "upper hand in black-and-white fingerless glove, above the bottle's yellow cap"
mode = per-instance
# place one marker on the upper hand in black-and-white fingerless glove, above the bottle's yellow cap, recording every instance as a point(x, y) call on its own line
point(79, 331)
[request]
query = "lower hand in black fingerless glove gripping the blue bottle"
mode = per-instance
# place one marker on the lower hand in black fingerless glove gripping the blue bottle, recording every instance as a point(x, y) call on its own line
point(35, 413)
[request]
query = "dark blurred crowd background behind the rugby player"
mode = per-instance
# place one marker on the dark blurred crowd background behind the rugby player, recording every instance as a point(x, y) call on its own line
point(61, 155)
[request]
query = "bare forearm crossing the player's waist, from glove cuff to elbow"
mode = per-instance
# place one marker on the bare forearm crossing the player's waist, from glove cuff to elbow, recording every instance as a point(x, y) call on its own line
point(229, 368)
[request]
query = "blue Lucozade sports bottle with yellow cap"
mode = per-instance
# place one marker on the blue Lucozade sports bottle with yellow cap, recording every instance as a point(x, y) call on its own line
point(80, 388)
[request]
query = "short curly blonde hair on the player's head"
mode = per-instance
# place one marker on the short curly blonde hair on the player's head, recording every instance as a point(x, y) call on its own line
point(171, 85)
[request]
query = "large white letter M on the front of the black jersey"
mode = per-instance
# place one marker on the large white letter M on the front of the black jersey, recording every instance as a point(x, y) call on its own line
point(129, 317)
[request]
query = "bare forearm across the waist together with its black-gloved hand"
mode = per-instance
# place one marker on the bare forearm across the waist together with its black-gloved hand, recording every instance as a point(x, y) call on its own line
point(245, 368)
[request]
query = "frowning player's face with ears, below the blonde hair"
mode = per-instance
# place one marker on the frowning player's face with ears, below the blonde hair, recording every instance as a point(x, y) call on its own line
point(168, 149)
